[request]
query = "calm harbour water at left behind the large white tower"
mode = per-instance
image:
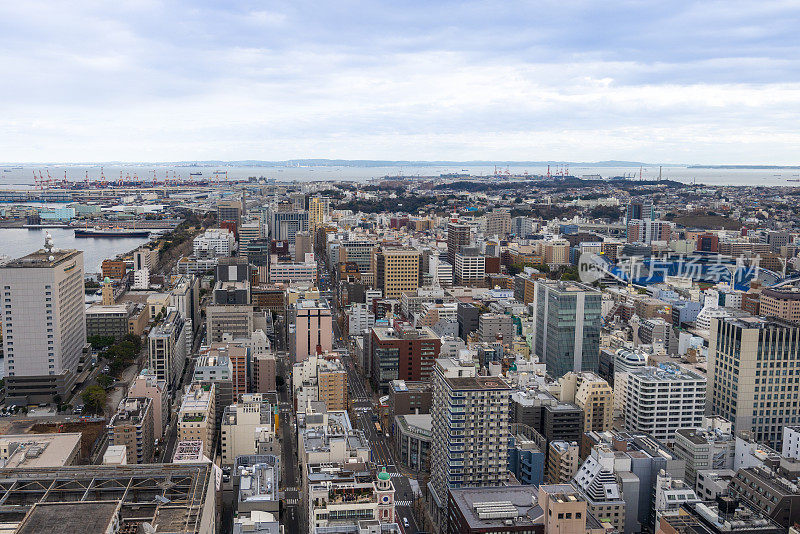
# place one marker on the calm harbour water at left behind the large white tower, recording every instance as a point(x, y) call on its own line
point(16, 242)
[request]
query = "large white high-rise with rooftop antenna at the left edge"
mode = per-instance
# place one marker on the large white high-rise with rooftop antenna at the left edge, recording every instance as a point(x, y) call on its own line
point(44, 323)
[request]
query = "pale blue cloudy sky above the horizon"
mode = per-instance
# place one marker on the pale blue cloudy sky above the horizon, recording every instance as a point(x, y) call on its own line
point(143, 80)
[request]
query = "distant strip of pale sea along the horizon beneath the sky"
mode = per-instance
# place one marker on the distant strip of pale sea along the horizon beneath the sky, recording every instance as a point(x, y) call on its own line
point(22, 176)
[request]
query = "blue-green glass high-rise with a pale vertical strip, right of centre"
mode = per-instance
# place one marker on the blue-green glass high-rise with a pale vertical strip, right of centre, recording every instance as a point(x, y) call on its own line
point(566, 326)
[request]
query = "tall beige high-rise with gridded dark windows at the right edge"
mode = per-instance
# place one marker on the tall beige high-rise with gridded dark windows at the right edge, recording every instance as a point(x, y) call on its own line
point(753, 368)
